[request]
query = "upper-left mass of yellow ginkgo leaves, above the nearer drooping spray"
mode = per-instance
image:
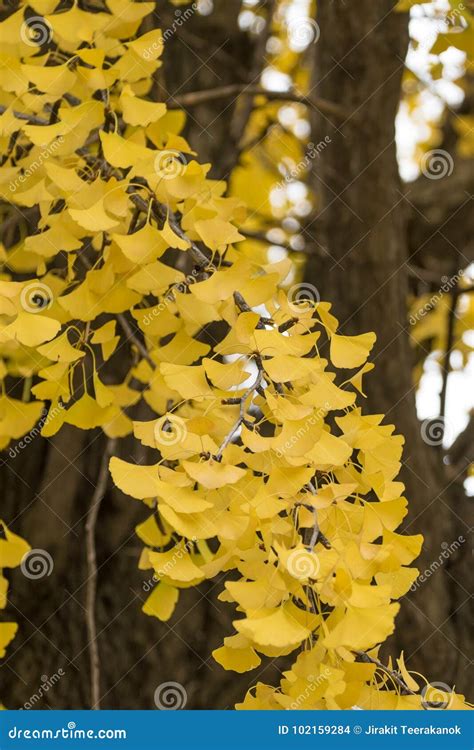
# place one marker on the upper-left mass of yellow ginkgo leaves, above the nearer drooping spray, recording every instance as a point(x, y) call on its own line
point(105, 169)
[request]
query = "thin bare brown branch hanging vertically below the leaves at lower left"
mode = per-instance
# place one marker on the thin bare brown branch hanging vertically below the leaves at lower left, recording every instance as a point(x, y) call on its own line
point(91, 590)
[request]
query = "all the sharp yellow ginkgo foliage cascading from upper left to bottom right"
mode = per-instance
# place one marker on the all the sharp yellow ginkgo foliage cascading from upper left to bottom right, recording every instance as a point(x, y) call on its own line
point(267, 468)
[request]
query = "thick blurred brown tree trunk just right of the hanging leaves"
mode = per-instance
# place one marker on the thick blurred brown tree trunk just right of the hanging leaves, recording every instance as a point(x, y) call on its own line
point(359, 261)
